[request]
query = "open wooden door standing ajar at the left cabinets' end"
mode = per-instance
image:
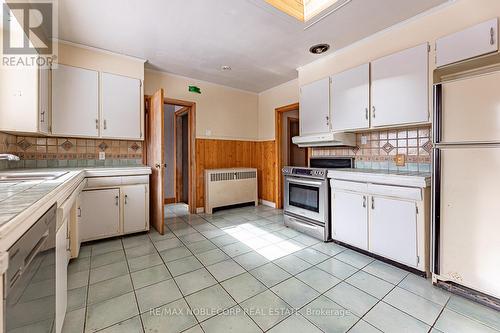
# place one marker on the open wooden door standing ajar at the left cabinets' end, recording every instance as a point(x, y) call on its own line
point(156, 158)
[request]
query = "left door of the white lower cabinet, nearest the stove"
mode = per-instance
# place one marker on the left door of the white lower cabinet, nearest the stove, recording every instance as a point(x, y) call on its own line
point(350, 219)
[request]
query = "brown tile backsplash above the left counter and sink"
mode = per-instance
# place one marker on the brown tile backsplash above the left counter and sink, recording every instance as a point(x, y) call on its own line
point(43, 152)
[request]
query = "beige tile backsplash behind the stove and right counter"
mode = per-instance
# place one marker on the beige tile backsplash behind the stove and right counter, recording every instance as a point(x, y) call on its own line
point(382, 146)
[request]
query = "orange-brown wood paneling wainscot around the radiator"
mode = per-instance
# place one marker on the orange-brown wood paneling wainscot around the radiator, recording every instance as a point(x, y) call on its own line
point(214, 154)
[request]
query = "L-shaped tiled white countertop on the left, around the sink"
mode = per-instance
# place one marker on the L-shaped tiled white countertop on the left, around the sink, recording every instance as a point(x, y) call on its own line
point(23, 202)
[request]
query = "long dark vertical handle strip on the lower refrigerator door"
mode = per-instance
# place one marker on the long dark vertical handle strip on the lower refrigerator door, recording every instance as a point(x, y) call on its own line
point(436, 210)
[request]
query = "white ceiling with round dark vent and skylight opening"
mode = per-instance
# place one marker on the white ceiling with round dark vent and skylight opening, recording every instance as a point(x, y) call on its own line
point(194, 38)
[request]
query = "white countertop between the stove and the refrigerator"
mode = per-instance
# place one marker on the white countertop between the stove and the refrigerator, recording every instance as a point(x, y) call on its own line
point(388, 177)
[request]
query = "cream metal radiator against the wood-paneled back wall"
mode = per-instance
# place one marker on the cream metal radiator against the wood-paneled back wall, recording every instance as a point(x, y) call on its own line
point(224, 187)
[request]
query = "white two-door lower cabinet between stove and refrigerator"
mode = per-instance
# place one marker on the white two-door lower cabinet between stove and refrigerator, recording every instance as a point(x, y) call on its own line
point(383, 220)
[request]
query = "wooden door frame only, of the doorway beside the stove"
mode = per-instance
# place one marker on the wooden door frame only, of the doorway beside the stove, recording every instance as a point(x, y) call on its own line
point(279, 154)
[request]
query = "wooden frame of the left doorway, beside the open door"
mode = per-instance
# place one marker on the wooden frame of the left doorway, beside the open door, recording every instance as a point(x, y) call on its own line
point(190, 109)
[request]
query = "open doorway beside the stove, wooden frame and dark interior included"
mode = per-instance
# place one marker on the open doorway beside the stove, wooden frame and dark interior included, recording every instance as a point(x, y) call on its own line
point(287, 153)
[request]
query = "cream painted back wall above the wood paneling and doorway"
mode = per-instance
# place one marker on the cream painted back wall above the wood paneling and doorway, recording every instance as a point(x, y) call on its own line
point(221, 112)
